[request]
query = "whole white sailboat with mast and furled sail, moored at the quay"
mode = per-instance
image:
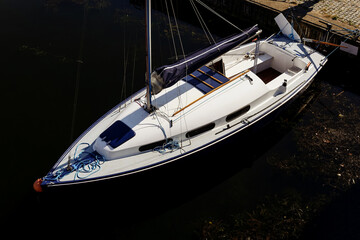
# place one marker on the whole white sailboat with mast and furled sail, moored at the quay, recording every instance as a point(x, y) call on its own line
point(191, 105)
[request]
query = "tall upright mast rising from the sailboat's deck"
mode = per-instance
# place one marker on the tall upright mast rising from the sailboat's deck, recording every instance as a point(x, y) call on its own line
point(148, 55)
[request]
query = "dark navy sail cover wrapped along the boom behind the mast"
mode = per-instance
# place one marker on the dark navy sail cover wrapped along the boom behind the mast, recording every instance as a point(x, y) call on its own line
point(168, 75)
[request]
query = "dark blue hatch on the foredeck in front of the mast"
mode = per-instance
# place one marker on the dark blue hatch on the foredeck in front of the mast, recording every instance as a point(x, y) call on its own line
point(117, 134)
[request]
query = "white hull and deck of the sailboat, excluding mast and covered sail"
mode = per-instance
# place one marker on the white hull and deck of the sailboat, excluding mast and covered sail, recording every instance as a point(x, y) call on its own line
point(189, 120)
